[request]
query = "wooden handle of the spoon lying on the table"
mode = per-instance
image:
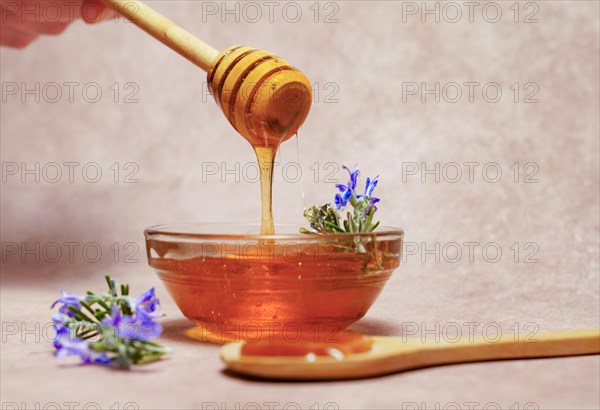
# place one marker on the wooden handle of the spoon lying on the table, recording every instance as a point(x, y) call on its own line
point(552, 344)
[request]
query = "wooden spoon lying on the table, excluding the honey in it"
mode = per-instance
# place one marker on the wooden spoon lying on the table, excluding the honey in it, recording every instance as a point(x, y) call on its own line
point(393, 354)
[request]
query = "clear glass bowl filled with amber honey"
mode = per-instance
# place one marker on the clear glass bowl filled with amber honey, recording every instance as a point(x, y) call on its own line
point(239, 285)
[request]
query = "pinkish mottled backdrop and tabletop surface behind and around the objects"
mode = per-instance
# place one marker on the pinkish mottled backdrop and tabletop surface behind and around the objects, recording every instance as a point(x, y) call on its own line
point(175, 130)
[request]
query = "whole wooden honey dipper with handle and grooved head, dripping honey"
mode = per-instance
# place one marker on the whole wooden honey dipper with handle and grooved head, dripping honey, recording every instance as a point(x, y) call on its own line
point(264, 98)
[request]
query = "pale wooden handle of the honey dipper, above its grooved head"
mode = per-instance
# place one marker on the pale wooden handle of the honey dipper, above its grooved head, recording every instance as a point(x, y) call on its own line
point(165, 31)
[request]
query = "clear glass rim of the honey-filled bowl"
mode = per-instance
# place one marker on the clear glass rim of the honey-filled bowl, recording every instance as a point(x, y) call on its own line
point(175, 231)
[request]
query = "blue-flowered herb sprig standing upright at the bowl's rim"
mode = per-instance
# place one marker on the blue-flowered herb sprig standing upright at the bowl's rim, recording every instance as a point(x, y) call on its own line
point(327, 218)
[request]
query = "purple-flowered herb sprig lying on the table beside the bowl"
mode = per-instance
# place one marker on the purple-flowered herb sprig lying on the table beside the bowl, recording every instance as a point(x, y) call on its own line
point(110, 328)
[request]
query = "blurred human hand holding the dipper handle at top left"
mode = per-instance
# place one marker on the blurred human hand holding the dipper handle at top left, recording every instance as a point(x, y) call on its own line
point(24, 20)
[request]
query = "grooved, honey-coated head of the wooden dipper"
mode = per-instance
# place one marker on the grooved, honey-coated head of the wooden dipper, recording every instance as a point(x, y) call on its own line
point(264, 98)
